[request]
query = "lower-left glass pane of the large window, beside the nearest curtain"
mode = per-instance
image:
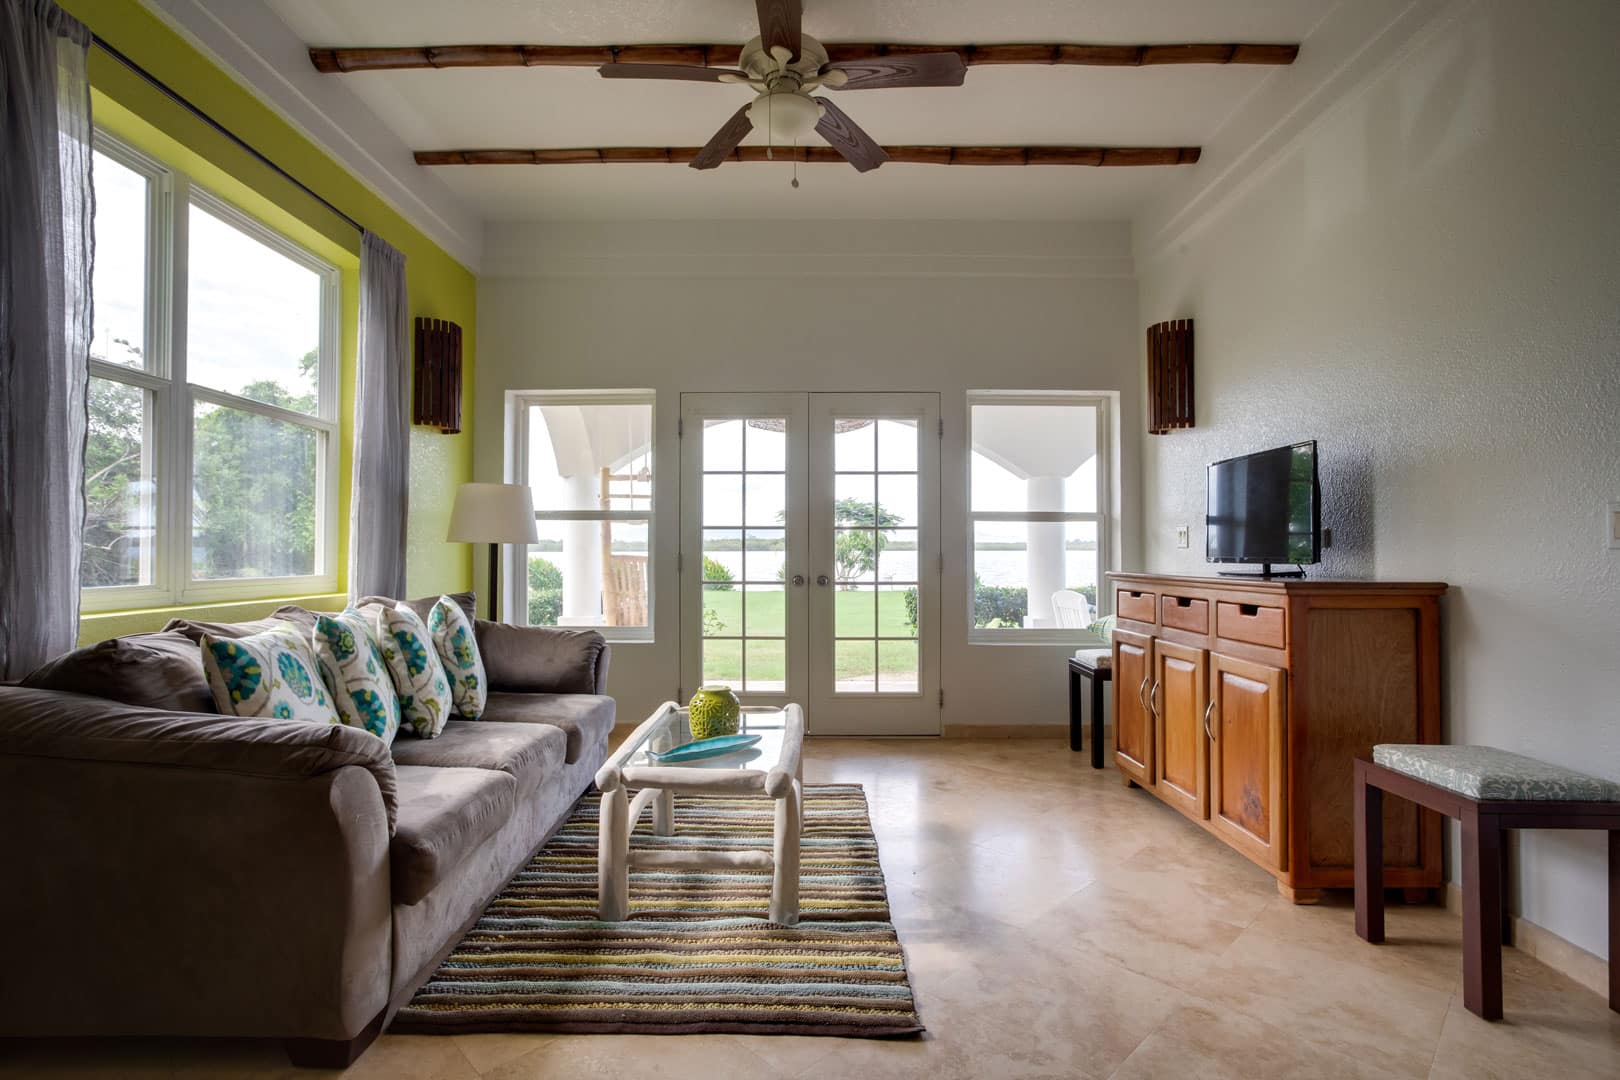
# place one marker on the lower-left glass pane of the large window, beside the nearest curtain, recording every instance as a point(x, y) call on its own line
point(119, 488)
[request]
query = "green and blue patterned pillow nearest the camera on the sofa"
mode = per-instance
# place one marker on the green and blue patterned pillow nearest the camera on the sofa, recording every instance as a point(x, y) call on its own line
point(270, 674)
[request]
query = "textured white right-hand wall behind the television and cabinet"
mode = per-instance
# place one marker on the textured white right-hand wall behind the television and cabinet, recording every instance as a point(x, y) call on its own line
point(1428, 283)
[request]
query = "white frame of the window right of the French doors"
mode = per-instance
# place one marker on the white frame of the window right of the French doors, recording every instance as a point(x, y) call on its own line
point(1101, 519)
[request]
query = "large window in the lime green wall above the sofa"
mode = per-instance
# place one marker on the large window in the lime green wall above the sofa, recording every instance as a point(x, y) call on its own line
point(211, 459)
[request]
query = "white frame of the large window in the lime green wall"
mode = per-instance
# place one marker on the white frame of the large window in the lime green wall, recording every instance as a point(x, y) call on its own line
point(169, 433)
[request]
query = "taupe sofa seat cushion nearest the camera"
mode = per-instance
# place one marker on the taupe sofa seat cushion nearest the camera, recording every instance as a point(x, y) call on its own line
point(445, 815)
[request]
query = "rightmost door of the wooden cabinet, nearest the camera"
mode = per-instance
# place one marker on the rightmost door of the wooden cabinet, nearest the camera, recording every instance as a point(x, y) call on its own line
point(1248, 759)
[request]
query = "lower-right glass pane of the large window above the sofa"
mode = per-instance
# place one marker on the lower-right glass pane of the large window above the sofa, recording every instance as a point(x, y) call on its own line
point(254, 506)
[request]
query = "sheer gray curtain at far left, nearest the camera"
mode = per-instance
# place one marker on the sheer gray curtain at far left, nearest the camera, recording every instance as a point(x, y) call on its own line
point(46, 249)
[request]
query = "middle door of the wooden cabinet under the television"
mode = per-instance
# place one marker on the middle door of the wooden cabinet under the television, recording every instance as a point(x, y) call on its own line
point(1180, 747)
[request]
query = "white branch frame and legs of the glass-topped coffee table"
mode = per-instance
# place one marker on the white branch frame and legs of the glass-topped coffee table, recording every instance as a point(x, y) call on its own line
point(770, 768)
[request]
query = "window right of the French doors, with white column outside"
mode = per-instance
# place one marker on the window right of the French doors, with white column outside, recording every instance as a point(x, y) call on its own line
point(1038, 514)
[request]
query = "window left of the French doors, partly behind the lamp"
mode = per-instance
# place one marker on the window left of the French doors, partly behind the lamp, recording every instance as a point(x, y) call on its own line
point(589, 462)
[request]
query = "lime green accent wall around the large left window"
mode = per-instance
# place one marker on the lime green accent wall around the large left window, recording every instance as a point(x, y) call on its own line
point(438, 284)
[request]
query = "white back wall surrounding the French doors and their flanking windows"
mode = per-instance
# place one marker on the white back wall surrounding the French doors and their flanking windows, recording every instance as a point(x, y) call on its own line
point(819, 307)
